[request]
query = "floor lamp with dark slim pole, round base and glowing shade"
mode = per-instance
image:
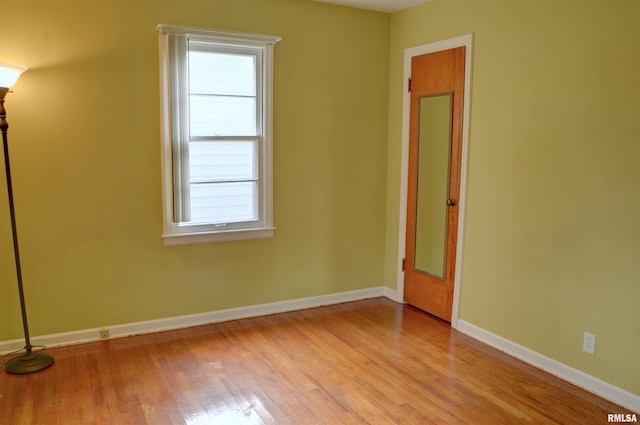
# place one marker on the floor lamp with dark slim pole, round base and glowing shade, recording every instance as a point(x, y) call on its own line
point(29, 362)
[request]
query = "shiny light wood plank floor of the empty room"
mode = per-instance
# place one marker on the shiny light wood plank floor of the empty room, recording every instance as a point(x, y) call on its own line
point(367, 362)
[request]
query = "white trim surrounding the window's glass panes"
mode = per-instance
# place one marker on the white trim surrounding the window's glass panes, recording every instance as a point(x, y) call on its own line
point(173, 232)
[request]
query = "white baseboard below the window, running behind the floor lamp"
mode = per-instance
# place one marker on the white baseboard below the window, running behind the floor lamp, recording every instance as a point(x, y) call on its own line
point(151, 326)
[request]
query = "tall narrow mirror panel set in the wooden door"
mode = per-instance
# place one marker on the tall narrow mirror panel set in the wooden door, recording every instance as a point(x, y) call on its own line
point(434, 138)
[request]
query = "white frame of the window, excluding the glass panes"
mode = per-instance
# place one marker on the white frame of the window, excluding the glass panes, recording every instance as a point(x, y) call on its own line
point(174, 132)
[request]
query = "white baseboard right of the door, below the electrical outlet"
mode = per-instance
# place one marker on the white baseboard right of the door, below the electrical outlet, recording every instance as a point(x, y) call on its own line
point(561, 370)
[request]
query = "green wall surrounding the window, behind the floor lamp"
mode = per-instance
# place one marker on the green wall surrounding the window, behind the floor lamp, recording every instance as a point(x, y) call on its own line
point(85, 146)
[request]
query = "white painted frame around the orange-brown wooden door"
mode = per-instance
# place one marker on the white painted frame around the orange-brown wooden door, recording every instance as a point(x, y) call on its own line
point(409, 53)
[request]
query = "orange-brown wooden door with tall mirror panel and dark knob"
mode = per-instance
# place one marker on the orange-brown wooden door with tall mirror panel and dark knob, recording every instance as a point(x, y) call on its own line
point(435, 152)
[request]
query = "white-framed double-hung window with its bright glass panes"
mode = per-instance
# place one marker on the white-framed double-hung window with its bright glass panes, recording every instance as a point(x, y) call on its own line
point(216, 135)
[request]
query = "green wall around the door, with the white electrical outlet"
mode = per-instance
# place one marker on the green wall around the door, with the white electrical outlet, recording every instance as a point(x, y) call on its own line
point(552, 242)
